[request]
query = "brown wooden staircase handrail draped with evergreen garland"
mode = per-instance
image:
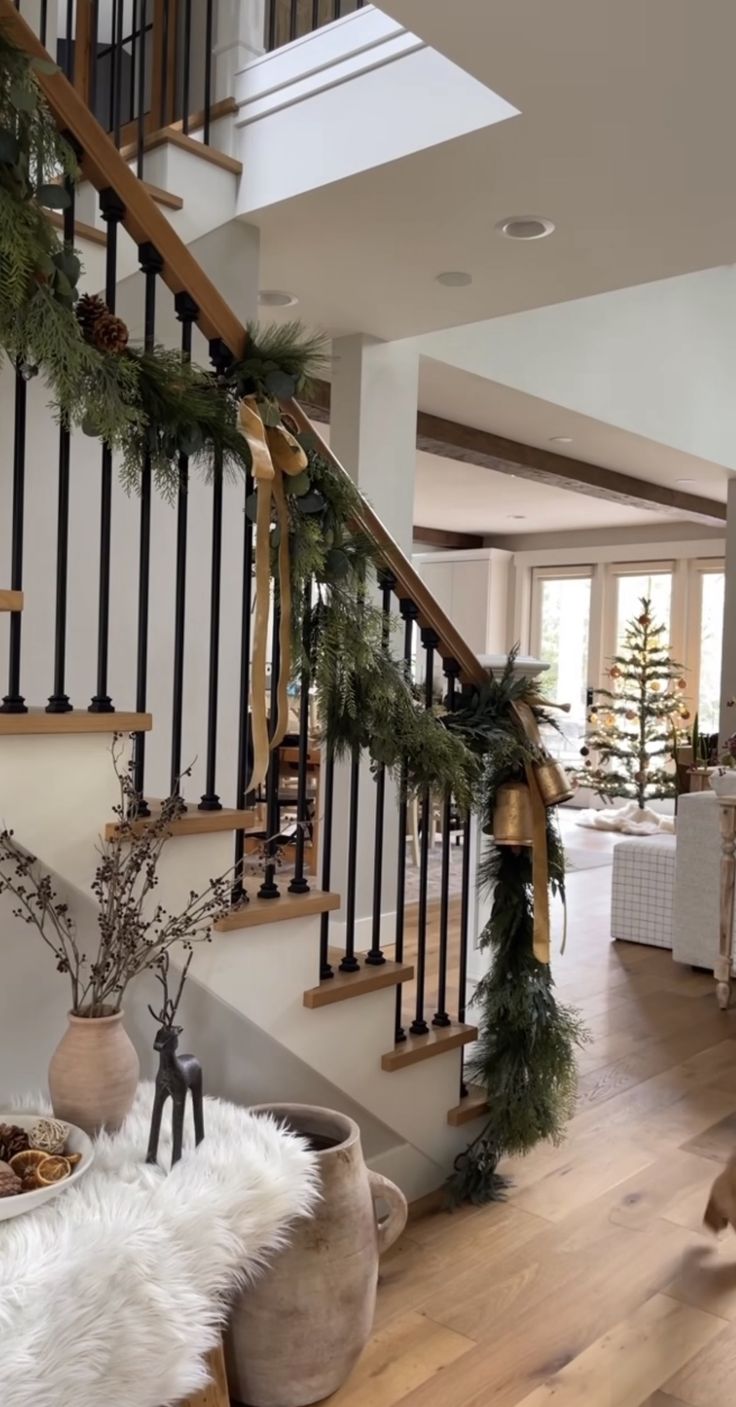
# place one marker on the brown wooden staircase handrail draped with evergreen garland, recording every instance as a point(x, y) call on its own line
point(103, 165)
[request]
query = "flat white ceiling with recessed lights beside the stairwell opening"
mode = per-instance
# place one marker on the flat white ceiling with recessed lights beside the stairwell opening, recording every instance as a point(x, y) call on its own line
point(624, 140)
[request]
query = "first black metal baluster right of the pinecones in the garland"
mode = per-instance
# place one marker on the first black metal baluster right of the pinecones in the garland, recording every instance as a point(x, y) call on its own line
point(151, 265)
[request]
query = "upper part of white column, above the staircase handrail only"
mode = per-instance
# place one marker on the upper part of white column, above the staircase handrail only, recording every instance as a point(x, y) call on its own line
point(374, 426)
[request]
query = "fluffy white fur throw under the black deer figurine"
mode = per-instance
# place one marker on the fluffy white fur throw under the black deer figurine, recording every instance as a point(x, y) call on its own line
point(115, 1292)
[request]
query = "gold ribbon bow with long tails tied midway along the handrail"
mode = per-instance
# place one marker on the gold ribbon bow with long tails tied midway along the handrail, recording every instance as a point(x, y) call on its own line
point(275, 452)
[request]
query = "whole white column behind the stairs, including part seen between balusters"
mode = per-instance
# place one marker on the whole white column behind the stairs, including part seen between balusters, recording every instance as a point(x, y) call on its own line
point(374, 434)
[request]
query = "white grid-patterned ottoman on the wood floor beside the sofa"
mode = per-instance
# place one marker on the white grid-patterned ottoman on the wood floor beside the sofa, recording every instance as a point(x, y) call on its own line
point(642, 891)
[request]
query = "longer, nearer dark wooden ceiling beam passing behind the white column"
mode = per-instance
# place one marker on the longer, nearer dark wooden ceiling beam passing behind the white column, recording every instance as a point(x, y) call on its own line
point(474, 447)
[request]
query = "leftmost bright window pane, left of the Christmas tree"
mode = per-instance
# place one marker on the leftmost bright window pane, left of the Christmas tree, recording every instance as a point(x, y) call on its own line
point(561, 613)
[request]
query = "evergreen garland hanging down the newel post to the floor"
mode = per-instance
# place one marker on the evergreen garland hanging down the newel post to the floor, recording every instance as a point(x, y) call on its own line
point(526, 1056)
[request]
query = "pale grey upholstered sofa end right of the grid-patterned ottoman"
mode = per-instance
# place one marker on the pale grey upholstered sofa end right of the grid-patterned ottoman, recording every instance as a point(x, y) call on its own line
point(696, 918)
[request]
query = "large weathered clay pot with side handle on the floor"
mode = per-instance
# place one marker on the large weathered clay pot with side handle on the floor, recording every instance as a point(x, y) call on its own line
point(296, 1336)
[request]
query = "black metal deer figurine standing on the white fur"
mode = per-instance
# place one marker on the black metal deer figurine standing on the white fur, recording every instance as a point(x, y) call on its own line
point(178, 1074)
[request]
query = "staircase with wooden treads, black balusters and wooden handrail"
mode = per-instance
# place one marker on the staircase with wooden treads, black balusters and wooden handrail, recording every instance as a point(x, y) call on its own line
point(150, 604)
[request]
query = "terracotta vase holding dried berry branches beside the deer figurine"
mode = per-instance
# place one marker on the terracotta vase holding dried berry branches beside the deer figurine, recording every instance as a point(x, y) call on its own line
point(95, 1070)
